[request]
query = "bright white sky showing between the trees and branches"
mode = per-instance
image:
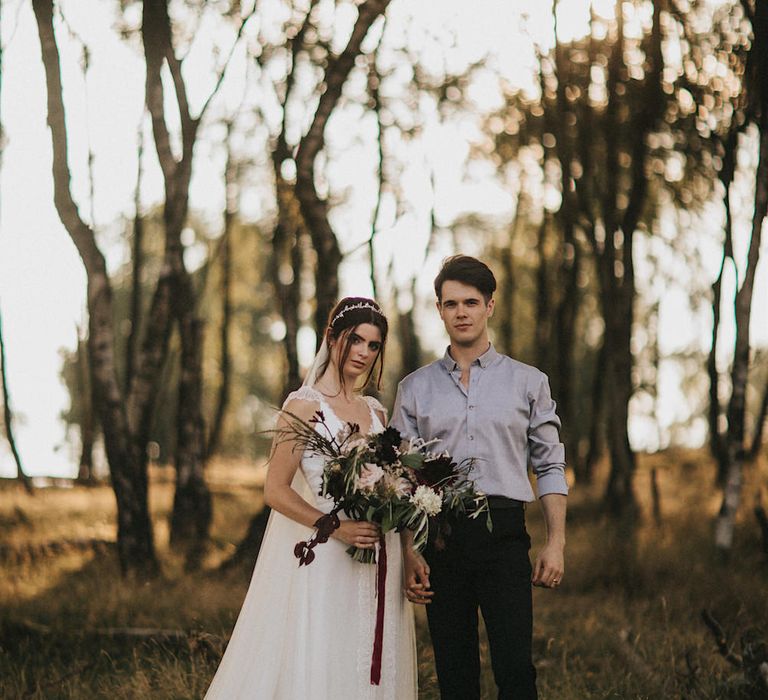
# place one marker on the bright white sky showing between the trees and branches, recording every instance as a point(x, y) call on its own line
point(42, 282)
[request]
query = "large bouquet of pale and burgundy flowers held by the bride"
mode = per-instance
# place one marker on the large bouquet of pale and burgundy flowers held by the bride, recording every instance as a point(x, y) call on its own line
point(379, 479)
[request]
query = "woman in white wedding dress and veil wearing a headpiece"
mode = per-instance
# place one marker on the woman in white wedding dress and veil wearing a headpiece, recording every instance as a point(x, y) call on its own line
point(307, 633)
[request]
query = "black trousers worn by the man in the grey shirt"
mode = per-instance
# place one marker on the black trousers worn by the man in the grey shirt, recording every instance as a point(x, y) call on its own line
point(490, 571)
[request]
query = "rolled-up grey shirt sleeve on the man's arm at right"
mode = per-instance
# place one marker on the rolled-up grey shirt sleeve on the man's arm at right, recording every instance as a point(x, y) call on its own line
point(546, 452)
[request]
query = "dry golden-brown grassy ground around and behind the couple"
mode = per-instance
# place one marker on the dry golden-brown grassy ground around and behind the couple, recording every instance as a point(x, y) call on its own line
point(625, 624)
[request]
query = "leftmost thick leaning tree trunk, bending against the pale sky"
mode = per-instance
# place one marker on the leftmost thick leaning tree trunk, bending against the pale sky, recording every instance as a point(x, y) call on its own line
point(127, 465)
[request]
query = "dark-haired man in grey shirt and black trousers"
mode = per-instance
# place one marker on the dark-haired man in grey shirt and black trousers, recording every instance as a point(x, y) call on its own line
point(484, 405)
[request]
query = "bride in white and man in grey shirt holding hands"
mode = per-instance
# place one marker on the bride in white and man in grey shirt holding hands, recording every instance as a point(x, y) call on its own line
point(307, 633)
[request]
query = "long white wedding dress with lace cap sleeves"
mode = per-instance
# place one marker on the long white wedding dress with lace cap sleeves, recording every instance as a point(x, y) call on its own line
point(307, 633)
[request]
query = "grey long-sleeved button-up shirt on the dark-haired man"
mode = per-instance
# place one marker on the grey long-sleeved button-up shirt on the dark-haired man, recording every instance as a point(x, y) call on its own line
point(505, 419)
